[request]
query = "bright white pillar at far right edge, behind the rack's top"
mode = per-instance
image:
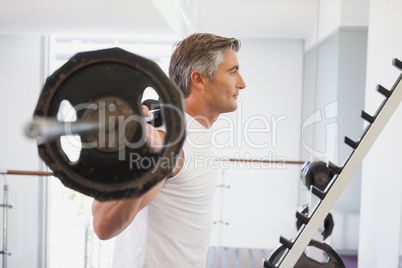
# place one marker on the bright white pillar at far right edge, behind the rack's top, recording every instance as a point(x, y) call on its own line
point(381, 175)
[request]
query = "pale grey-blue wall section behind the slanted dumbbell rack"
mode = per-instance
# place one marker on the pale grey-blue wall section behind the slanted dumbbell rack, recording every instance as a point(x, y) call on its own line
point(334, 88)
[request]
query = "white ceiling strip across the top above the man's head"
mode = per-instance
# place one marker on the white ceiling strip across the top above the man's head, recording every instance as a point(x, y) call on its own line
point(278, 19)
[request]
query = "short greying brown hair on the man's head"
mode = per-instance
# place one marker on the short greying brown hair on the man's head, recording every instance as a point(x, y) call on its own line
point(202, 52)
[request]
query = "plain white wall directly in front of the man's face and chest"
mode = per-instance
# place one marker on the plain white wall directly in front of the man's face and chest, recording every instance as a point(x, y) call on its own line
point(261, 203)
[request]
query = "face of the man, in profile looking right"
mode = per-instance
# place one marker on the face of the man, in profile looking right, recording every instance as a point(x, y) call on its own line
point(223, 92)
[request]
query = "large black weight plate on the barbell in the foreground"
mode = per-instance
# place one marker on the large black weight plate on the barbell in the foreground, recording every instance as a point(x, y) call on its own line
point(112, 76)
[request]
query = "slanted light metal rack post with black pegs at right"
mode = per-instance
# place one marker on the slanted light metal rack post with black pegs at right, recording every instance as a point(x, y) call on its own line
point(311, 223)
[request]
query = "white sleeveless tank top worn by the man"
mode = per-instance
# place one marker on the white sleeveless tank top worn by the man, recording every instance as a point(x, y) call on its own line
point(173, 230)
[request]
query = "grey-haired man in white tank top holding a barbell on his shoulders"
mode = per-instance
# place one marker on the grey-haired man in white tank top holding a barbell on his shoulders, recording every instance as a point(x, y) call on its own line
point(169, 226)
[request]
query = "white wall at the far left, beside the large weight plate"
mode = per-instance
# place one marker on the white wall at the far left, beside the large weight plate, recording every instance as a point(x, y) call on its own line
point(20, 83)
